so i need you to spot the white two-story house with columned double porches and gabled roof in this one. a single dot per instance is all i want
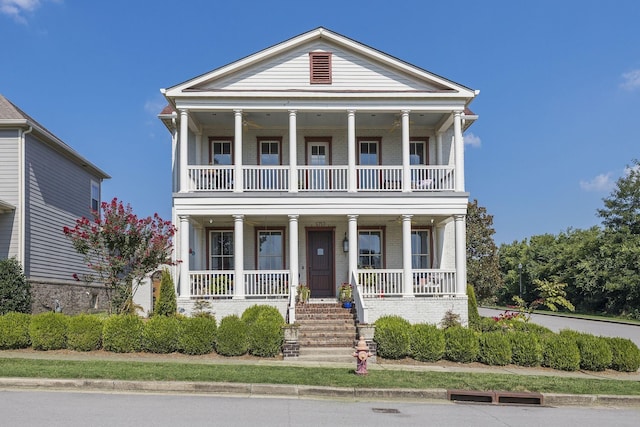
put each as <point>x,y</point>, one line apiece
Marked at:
<point>320,161</point>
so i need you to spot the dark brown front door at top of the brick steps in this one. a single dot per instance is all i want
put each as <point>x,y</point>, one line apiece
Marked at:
<point>320,263</point>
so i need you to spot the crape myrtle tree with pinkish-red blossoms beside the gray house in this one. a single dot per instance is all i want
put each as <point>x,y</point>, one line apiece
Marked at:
<point>121,249</point>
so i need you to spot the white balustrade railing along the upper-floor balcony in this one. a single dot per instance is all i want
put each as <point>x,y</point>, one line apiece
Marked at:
<point>322,178</point>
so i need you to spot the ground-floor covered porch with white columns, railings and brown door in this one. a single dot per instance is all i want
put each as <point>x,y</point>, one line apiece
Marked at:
<point>241,260</point>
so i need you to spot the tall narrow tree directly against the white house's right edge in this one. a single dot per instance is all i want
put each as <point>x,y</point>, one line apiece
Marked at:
<point>483,268</point>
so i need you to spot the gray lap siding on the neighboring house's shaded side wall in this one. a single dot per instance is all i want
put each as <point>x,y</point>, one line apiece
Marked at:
<point>58,193</point>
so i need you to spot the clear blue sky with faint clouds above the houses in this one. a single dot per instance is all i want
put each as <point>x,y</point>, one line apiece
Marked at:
<point>559,85</point>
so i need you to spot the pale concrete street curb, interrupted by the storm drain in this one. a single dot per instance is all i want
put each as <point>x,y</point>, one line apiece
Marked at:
<point>284,390</point>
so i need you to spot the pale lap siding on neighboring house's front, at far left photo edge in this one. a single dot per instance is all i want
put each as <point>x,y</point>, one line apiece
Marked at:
<point>9,193</point>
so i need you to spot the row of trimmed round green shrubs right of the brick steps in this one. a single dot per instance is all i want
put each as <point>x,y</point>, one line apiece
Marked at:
<point>515,342</point>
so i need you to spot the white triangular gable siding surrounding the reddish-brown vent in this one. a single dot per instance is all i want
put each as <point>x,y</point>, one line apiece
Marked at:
<point>291,71</point>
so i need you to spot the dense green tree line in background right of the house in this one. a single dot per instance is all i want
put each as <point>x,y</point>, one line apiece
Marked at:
<point>600,265</point>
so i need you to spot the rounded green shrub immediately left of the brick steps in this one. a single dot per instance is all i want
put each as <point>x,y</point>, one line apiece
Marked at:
<point>264,330</point>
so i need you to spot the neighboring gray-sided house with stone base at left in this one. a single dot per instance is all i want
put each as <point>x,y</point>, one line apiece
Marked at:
<point>44,186</point>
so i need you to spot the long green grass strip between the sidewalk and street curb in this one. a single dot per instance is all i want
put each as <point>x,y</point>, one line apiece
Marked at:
<point>334,377</point>
